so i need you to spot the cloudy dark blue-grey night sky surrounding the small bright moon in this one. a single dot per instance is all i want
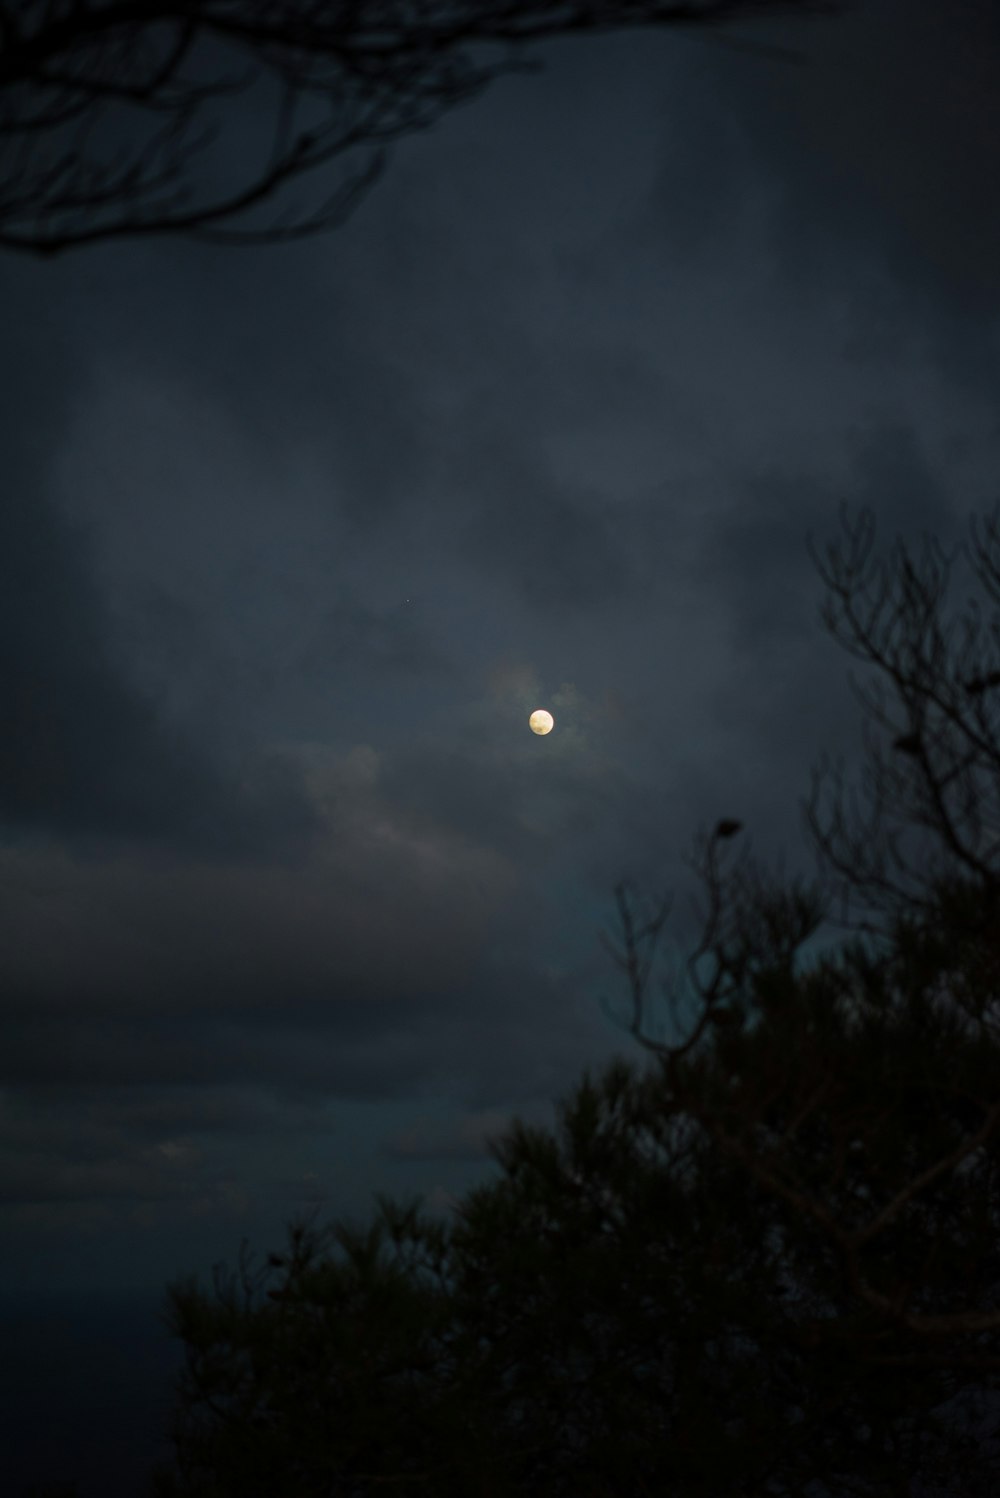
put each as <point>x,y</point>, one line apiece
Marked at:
<point>293,540</point>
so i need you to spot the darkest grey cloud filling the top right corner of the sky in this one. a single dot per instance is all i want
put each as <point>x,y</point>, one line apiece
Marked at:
<point>863,169</point>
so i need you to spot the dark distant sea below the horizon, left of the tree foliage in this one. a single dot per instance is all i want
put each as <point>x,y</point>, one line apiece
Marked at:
<point>85,1392</point>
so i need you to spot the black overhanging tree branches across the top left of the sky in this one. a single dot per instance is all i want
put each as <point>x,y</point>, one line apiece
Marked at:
<point>106,106</point>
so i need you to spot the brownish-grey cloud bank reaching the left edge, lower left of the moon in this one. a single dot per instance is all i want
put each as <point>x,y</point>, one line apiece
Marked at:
<point>385,906</point>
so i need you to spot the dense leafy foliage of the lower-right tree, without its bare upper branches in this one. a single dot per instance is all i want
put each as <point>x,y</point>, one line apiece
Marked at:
<point>637,1310</point>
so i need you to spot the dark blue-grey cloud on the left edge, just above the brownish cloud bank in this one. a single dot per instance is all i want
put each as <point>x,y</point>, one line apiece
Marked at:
<point>85,754</point>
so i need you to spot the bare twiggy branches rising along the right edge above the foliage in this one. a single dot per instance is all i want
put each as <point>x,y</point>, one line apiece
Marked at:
<point>939,786</point>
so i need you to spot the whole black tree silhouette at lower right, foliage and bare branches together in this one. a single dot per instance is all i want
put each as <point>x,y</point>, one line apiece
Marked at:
<point>767,1262</point>
